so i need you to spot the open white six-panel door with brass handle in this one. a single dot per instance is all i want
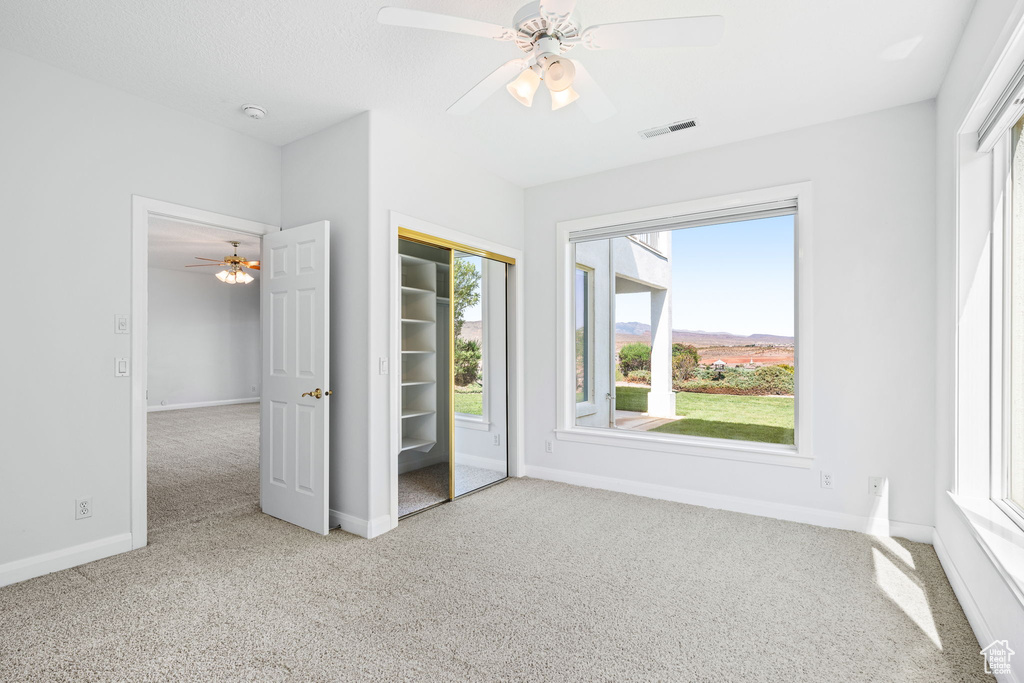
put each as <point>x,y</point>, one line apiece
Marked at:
<point>294,430</point>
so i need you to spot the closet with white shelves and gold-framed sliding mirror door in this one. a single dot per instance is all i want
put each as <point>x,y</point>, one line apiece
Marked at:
<point>454,382</point>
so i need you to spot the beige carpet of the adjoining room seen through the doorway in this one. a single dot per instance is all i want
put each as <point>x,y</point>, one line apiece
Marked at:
<point>202,461</point>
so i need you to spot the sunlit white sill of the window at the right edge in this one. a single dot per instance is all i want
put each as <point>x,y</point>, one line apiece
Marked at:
<point>999,537</point>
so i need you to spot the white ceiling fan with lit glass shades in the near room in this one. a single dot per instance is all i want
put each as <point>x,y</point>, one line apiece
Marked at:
<point>545,31</point>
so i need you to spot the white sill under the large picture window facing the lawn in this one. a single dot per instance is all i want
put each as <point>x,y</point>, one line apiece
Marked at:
<point>751,452</point>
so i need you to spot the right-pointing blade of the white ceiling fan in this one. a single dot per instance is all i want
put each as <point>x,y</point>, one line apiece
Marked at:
<point>678,32</point>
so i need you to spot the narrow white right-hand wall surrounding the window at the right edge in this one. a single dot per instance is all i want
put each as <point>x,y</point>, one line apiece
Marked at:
<point>993,609</point>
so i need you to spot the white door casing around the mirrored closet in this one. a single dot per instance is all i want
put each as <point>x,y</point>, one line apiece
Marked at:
<point>445,237</point>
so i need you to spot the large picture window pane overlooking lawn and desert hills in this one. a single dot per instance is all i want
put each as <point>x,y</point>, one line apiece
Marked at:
<point>695,325</point>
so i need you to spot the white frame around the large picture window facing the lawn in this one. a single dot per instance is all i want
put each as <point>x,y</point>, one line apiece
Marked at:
<point>801,454</point>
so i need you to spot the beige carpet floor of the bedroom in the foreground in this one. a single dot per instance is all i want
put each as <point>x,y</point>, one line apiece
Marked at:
<point>528,581</point>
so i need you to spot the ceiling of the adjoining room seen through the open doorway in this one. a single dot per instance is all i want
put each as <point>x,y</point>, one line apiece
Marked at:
<point>176,244</point>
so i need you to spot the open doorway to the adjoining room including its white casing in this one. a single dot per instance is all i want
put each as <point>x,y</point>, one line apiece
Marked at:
<point>200,334</point>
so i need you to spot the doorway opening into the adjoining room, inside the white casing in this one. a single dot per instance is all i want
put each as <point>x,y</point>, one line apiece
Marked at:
<point>203,392</point>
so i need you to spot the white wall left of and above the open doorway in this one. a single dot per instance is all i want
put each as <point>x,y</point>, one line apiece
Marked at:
<point>66,188</point>
